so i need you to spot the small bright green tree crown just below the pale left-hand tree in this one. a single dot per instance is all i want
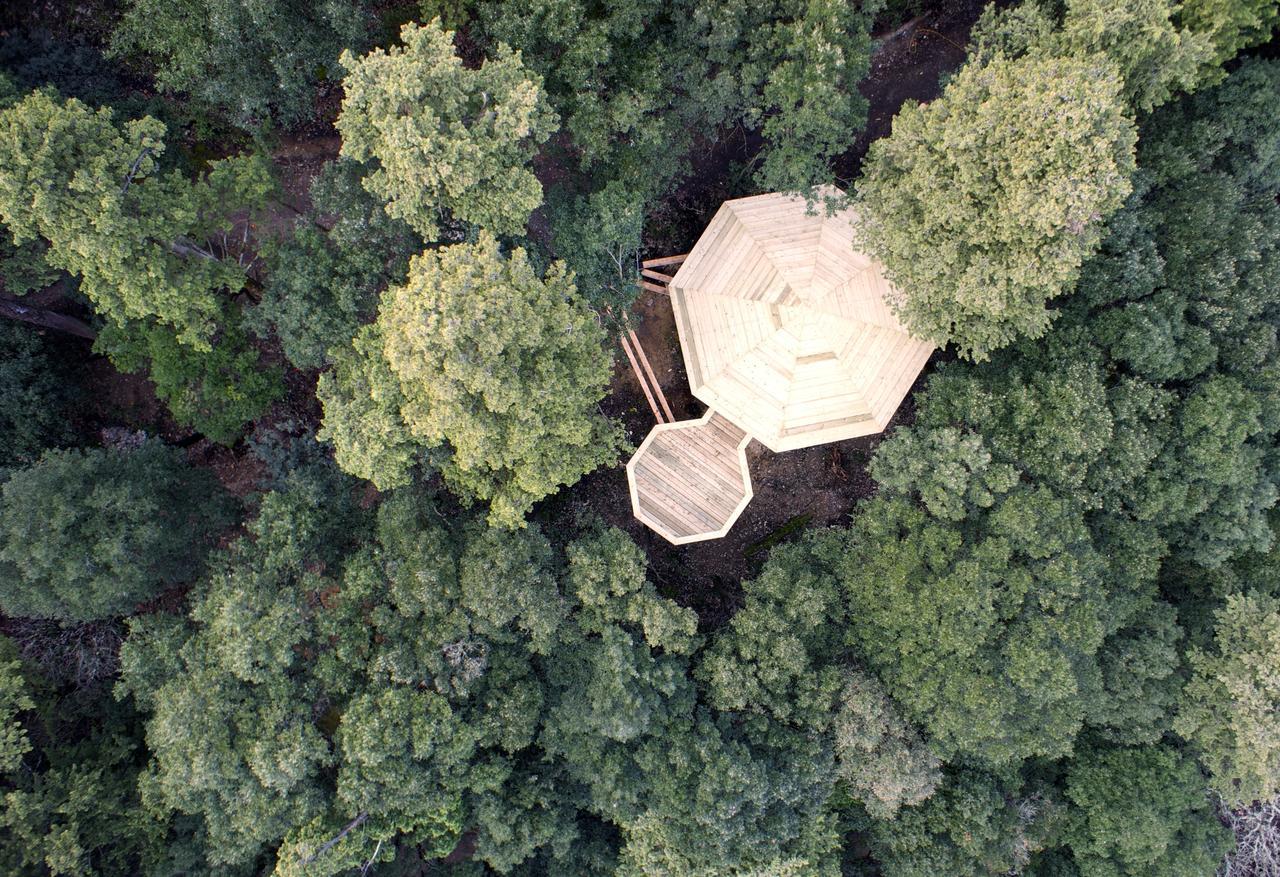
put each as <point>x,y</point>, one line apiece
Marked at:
<point>216,392</point>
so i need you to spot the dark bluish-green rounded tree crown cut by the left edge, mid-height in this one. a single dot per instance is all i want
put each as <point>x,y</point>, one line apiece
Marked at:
<point>89,535</point>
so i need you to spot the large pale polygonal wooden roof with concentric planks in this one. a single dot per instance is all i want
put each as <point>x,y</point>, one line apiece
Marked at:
<point>787,328</point>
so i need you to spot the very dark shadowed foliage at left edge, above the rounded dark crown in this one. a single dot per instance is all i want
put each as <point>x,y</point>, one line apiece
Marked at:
<point>36,391</point>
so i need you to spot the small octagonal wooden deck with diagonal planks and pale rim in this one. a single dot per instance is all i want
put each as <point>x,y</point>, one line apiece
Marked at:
<point>689,479</point>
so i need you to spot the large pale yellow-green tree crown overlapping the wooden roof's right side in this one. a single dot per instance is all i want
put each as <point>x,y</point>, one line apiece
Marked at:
<point>985,203</point>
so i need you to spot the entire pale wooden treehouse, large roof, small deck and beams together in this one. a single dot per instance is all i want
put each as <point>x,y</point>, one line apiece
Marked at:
<point>788,337</point>
